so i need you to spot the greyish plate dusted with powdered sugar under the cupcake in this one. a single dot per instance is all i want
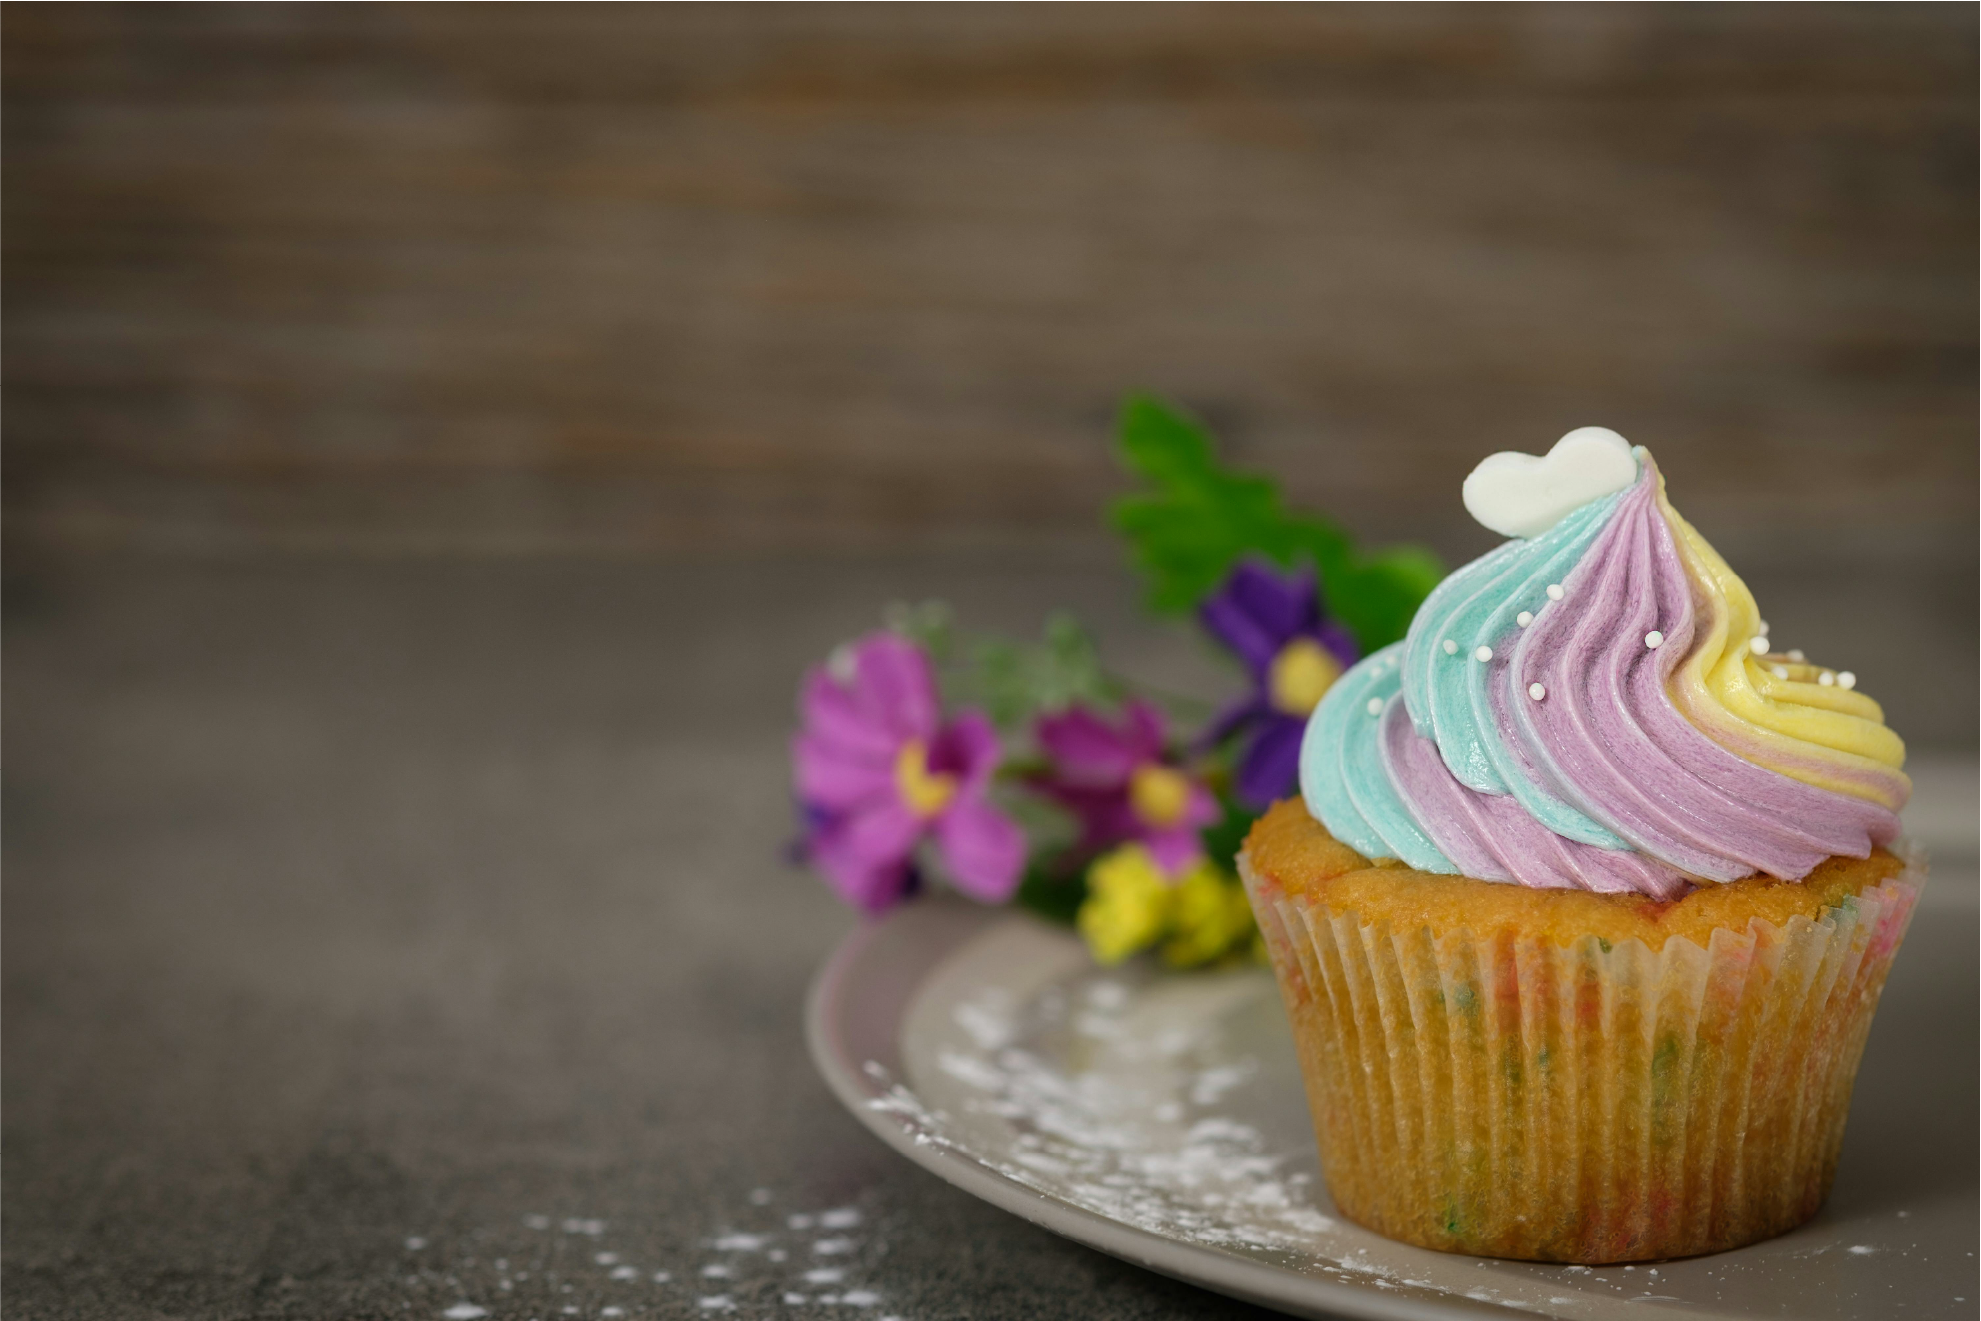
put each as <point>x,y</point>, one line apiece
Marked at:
<point>1162,1118</point>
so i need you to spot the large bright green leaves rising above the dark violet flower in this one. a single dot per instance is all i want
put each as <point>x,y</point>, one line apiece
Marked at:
<point>1203,518</point>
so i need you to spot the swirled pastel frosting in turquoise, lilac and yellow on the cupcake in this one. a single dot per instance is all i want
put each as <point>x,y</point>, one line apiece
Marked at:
<point>1598,708</point>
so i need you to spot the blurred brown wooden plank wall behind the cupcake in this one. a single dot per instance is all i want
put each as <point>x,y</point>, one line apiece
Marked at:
<point>821,280</point>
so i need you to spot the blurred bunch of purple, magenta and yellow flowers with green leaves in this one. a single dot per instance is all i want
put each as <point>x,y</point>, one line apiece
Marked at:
<point>1031,773</point>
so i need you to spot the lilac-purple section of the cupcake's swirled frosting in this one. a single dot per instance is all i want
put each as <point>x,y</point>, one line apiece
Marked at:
<point>1608,740</point>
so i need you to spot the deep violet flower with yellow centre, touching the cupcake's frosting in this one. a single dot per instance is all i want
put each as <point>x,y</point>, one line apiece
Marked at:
<point>1275,623</point>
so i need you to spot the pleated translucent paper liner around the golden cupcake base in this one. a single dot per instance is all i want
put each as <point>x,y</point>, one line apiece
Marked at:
<point>1518,1098</point>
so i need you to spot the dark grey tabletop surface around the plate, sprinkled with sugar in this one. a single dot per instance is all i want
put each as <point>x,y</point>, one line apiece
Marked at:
<point>348,904</point>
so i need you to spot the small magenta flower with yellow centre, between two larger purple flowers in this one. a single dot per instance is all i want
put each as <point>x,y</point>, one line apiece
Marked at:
<point>1120,787</point>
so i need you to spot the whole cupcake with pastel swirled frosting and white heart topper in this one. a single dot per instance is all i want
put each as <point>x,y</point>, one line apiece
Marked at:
<point>1590,894</point>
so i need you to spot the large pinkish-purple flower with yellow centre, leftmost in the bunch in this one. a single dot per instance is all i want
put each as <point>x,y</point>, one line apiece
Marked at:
<point>879,769</point>
